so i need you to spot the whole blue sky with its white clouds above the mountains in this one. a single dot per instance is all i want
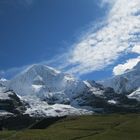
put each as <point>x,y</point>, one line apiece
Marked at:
<point>88,38</point>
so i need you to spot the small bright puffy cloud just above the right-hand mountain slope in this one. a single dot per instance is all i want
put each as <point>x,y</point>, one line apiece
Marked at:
<point>121,68</point>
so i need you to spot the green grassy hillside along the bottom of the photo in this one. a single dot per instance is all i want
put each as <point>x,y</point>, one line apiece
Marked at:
<point>99,127</point>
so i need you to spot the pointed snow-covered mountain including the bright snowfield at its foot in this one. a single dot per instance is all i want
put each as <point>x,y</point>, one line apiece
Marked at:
<point>50,92</point>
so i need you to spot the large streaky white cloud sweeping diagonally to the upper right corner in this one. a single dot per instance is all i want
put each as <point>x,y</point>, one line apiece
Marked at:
<point>98,49</point>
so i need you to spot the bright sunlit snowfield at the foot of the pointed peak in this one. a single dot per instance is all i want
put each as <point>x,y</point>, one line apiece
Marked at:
<point>41,108</point>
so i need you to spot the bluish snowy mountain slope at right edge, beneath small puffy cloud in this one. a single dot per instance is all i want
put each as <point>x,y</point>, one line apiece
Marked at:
<point>125,83</point>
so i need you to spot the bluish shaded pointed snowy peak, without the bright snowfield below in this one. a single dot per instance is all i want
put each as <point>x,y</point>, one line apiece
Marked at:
<point>47,84</point>
